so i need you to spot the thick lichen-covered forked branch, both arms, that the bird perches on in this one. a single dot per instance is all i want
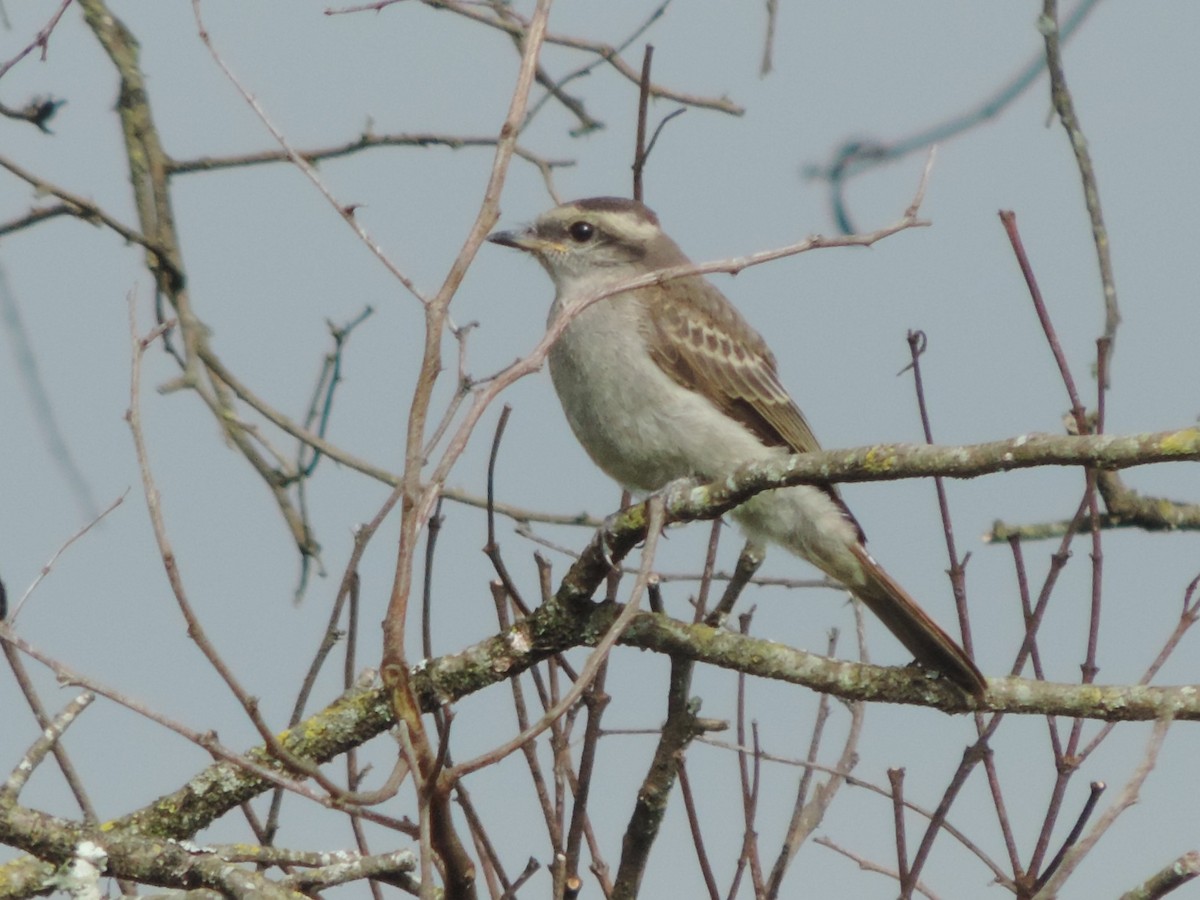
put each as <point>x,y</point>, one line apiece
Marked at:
<point>573,621</point>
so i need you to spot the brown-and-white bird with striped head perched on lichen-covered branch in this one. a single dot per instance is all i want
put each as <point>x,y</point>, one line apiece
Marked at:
<point>669,381</point>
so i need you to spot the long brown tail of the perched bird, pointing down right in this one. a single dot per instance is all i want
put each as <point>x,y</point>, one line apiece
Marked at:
<point>914,627</point>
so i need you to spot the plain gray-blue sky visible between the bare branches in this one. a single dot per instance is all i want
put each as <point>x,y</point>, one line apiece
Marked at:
<point>269,262</point>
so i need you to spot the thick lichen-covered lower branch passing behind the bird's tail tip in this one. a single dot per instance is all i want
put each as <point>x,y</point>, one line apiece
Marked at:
<point>556,627</point>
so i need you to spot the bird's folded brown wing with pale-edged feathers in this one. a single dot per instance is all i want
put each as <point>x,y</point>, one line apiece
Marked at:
<point>706,345</point>
